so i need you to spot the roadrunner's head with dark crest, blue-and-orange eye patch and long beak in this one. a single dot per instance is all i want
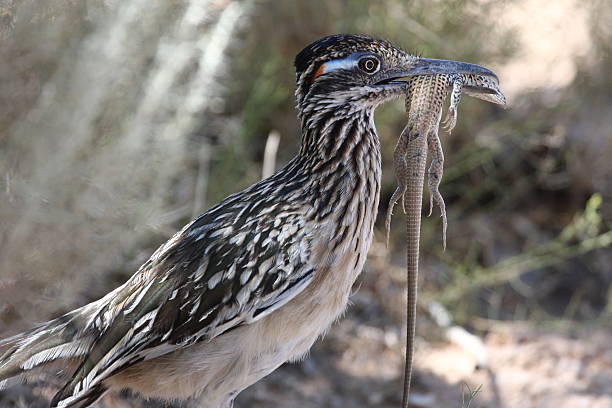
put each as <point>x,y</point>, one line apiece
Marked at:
<point>362,72</point>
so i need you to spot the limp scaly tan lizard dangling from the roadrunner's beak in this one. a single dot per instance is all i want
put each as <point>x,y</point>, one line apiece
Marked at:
<point>424,99</point>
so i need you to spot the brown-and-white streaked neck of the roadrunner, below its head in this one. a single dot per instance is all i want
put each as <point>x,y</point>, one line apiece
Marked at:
<point>340,153</point>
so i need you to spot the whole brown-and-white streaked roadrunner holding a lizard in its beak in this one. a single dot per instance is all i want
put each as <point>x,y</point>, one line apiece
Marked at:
<point>255,280</point>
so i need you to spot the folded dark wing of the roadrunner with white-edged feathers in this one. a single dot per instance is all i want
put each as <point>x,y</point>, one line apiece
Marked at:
<point>227,268</point>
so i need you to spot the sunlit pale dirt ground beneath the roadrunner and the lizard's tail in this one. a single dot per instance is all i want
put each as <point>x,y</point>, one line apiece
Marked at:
<point>359,365</point>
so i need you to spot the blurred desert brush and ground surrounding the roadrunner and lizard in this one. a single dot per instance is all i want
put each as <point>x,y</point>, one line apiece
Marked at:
<point>122,120</point>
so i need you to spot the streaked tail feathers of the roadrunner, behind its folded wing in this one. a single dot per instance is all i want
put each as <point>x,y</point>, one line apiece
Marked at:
<point>62,341</point>
